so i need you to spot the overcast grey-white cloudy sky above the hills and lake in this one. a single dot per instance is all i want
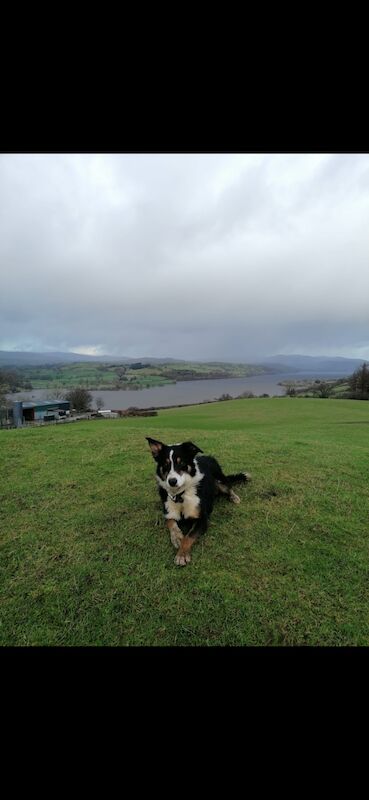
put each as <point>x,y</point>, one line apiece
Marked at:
<point>229,256</point>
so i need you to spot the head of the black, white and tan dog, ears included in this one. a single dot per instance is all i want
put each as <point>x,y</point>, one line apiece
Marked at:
<point>176,465</point>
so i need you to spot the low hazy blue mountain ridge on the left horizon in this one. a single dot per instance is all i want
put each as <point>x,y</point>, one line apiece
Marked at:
<point>16,358</point>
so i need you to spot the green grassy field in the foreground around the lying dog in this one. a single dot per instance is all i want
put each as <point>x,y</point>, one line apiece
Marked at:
<point>86,558</point>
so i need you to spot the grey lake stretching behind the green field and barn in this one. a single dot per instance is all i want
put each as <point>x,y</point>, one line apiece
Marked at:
<point>187,392</point>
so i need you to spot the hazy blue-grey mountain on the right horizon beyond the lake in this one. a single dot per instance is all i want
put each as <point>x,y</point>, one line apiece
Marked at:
<point>317,364</point>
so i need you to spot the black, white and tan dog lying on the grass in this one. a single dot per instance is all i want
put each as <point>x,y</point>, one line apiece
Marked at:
<point>188,484</point>
